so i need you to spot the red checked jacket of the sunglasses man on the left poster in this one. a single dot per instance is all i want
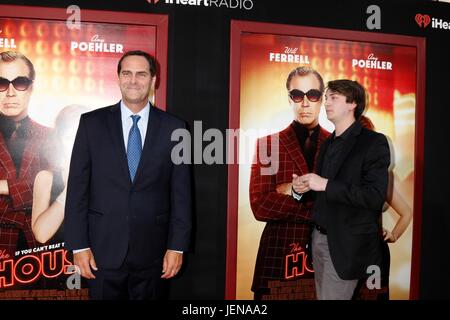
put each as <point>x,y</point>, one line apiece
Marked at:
<point>15,208</point>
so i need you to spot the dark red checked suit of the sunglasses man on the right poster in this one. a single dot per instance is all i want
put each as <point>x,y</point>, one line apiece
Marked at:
<point>287,232</point>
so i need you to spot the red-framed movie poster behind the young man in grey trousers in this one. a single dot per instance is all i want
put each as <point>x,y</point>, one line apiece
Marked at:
<point>269,232</point>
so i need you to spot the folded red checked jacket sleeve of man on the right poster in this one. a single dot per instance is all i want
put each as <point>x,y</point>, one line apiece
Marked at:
<point>266,203</point>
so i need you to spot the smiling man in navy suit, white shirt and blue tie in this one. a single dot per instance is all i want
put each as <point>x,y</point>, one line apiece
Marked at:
<point>128,208</point>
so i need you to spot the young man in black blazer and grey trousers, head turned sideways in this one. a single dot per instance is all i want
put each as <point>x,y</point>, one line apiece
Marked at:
<point>351,185</point>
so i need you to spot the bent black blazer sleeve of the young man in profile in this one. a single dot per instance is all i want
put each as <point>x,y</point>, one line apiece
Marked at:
<point>371,192</point>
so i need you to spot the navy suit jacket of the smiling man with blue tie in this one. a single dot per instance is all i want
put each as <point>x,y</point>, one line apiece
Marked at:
<point>107,212</point>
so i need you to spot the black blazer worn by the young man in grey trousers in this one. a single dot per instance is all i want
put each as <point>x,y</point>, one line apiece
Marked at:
<point>355,194</point>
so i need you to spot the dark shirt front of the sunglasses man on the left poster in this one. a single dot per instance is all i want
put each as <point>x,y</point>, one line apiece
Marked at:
<point>15,141</point>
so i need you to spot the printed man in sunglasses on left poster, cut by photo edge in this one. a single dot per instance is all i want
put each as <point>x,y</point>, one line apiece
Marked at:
<point>23,148</point>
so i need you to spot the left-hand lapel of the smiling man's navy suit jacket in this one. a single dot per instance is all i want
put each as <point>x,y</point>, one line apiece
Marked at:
<point>115,129</point>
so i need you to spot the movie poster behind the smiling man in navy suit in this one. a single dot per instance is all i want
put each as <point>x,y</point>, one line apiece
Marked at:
<point>76,71</point>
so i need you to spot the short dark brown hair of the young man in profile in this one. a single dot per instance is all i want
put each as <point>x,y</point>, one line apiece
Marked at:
<point>352,91</point>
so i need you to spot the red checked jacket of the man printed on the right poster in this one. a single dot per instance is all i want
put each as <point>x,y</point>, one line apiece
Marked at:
<point>287,220</point>
